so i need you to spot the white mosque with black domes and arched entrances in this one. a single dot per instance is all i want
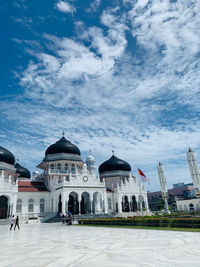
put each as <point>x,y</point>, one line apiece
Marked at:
<point>67,183</point>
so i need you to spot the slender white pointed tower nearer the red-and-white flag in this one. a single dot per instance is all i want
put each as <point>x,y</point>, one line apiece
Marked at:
<point>162,179</point>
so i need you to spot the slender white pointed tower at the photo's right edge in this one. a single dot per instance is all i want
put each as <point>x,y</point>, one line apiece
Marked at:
<point>194,171</point>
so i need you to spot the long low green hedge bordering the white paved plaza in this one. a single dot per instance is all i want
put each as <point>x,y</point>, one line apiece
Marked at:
<point>153,222</point>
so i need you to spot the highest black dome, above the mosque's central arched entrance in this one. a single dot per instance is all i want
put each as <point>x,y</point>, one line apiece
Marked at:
<point>63,146</point>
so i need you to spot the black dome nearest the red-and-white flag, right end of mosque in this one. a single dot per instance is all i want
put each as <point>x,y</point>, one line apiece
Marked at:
<point>114,164</point>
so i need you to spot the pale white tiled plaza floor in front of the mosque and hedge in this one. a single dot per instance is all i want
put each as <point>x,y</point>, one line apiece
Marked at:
<point>56,245</point>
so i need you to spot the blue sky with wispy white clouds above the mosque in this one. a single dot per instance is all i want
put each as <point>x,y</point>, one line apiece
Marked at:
<point>120,75</point>
